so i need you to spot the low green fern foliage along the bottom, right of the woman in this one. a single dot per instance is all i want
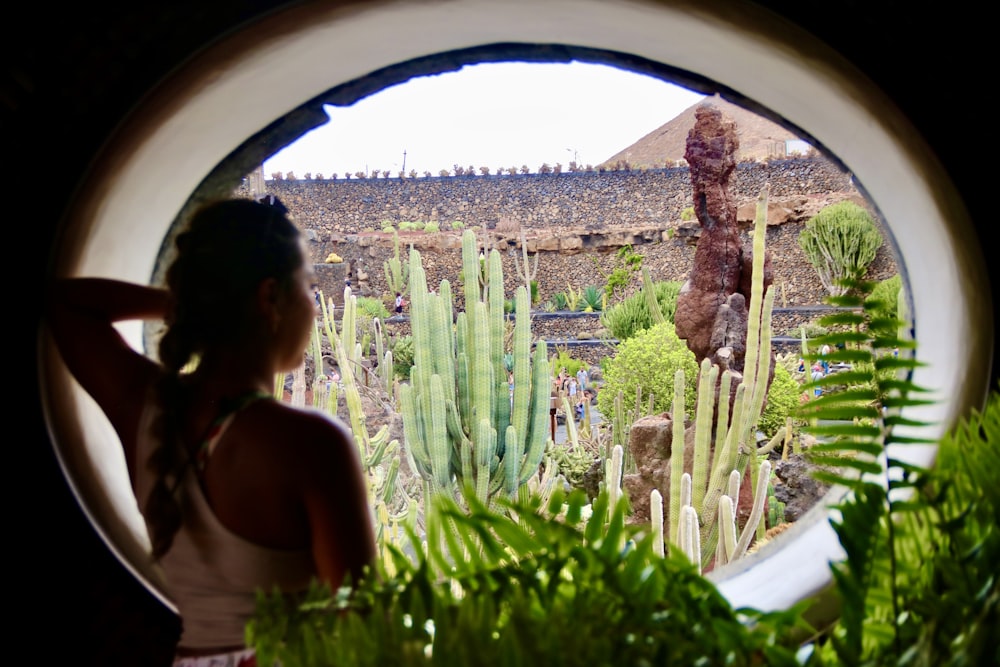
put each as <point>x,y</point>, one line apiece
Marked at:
<point>528,588</point>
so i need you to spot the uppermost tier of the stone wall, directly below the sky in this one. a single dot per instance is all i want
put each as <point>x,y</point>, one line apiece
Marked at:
<point>591,200</point>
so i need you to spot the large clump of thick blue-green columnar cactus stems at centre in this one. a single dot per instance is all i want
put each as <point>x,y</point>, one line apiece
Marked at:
<point>461,427</point>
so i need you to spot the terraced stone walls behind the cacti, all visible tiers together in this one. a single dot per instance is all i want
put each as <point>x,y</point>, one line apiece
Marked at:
<point>576,222</point>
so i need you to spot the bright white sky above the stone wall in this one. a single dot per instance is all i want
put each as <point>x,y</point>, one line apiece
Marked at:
<point>489,115</point>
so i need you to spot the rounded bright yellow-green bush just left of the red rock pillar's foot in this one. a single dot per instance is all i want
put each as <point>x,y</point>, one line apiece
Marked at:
<point>649,360</point>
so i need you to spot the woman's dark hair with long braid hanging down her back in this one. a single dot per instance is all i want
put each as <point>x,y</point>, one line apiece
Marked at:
<point>228,249</point>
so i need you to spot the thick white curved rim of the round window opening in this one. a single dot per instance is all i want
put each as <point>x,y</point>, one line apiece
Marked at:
<point>267,86</point>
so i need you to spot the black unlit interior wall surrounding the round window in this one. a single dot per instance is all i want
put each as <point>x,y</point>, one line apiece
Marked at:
<point>70,74</point>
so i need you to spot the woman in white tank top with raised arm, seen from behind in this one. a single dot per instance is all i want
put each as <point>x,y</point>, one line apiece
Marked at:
<point>239,492</point>
